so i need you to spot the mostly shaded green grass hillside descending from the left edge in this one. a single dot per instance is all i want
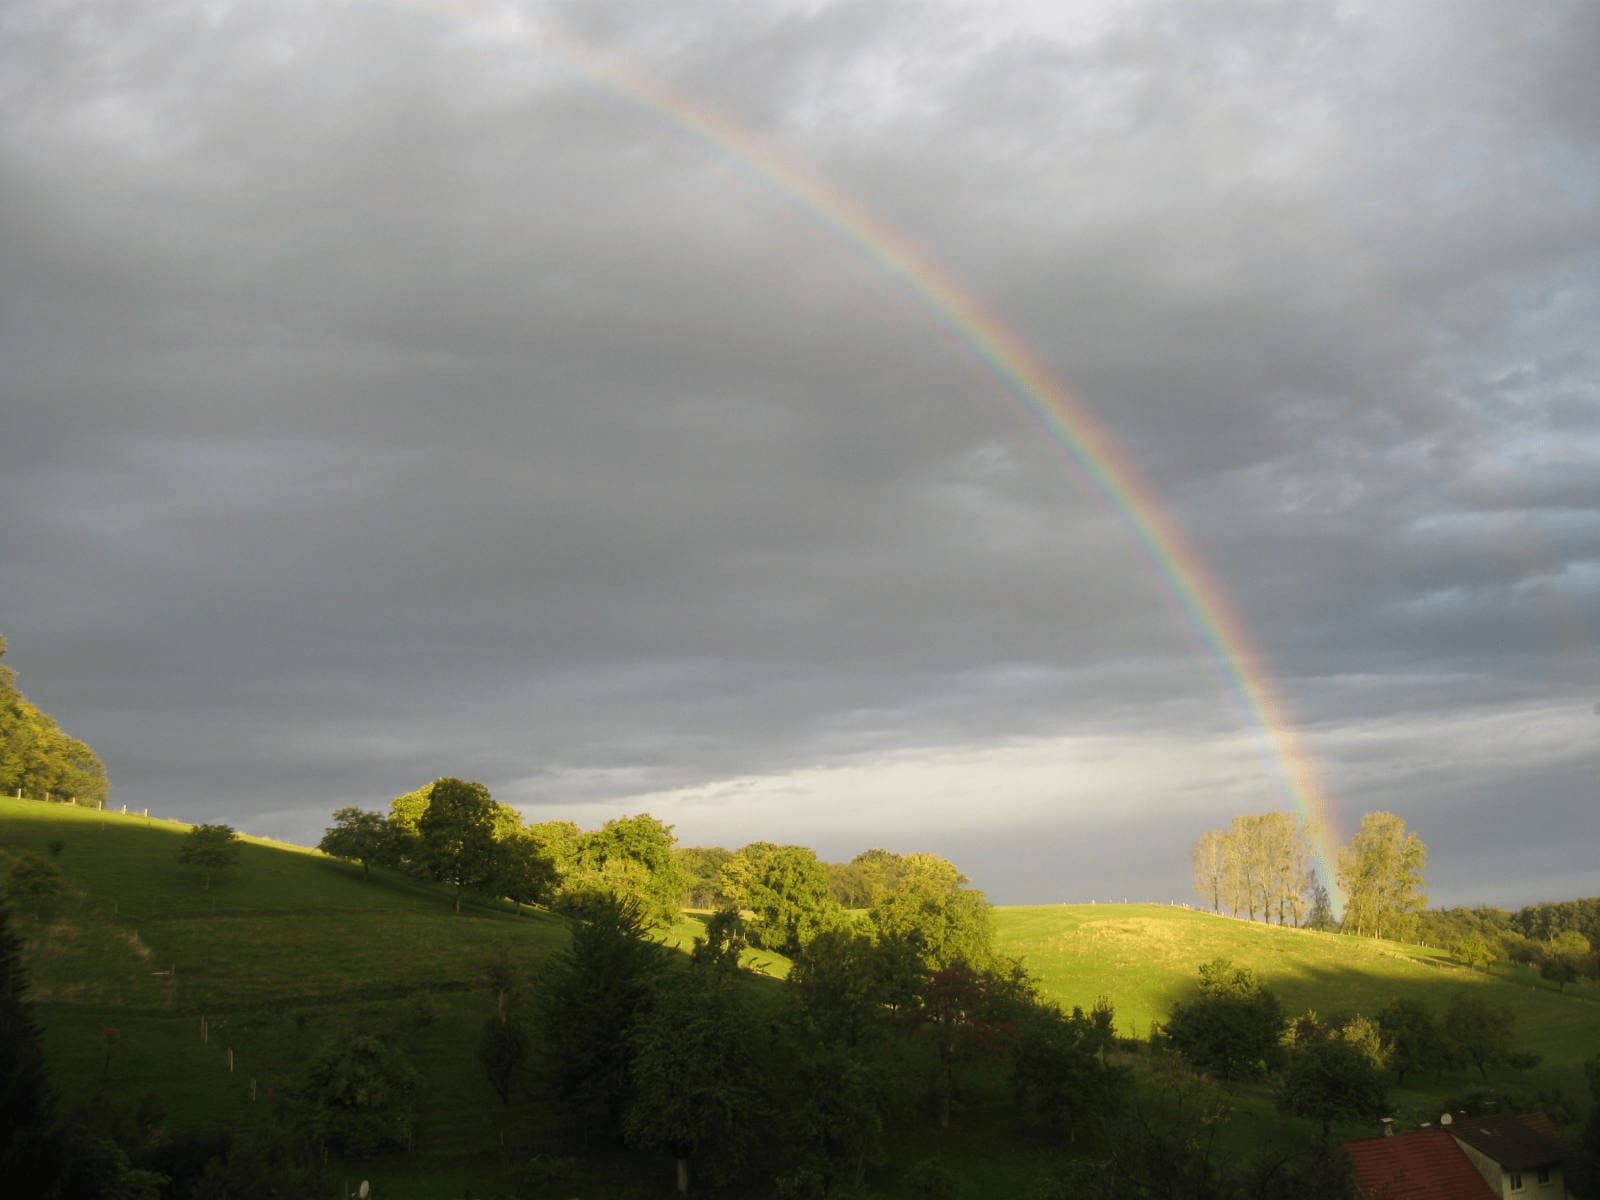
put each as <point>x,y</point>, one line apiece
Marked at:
<point>279,956</point>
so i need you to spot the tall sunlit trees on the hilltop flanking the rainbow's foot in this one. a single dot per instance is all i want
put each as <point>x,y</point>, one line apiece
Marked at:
<point>1262,868</point>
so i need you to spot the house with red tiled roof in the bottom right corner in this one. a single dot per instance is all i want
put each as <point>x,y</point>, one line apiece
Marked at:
<point>1465,1159</point>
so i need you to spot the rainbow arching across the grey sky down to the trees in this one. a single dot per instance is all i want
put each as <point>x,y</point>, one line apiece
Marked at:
<point>1010,361</point>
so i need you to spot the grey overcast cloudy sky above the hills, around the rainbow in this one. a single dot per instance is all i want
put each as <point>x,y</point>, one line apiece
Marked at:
<point>388,391</point>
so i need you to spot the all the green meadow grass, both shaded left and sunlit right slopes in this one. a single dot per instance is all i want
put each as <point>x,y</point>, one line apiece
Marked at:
<point>145,982</point>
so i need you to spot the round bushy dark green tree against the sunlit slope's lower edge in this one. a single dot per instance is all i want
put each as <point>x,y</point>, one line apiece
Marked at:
<point>1231,1028</point>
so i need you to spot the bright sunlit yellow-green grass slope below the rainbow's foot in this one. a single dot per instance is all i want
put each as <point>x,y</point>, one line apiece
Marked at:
<point>1148,956</point>
